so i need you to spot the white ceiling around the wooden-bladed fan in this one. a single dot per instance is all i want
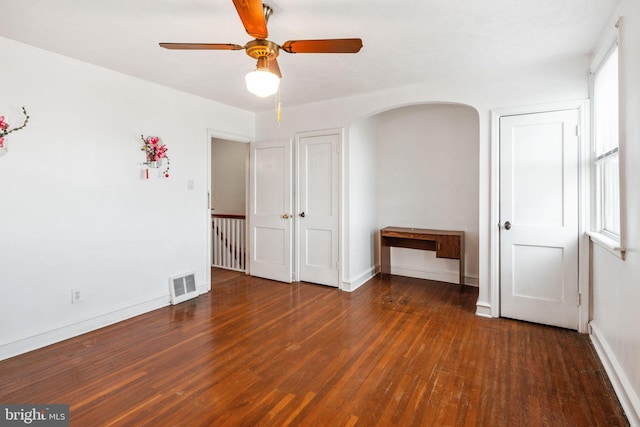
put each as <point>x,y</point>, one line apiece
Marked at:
<point>404,41</point>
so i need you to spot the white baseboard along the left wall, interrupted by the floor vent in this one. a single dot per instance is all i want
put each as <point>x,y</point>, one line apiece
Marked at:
<point>45,338</point>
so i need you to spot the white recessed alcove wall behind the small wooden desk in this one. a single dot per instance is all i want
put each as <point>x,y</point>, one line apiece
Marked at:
<point>428,178</point>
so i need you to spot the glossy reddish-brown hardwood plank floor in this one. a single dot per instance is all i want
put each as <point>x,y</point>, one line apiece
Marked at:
<point>396,352</point>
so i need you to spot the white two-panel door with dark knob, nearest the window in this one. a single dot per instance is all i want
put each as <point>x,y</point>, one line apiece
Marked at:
<point>539,217</point>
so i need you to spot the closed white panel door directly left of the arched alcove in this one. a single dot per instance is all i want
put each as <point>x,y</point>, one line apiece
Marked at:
<point>318,214</point>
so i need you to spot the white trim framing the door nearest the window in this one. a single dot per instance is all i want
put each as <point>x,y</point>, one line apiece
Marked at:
<point>583,204</point>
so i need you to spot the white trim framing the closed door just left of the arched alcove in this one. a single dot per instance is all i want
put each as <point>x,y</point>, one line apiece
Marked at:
<point>296,192</point>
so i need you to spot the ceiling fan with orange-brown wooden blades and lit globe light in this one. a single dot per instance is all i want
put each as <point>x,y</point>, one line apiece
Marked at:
<point>265,79</point>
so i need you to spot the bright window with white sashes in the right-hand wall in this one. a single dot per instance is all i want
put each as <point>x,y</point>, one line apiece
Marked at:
<point>605,127</point>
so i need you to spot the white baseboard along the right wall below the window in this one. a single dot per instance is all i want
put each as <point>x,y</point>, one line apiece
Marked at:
<point>628,398</point>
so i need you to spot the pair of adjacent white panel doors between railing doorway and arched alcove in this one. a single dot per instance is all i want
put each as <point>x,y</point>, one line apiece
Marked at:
<point>294,208</point>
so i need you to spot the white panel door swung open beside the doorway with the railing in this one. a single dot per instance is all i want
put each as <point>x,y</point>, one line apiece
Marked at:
<point>270,214</point>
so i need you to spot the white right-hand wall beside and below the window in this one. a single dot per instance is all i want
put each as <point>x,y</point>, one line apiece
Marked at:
<point>616,282</point>
